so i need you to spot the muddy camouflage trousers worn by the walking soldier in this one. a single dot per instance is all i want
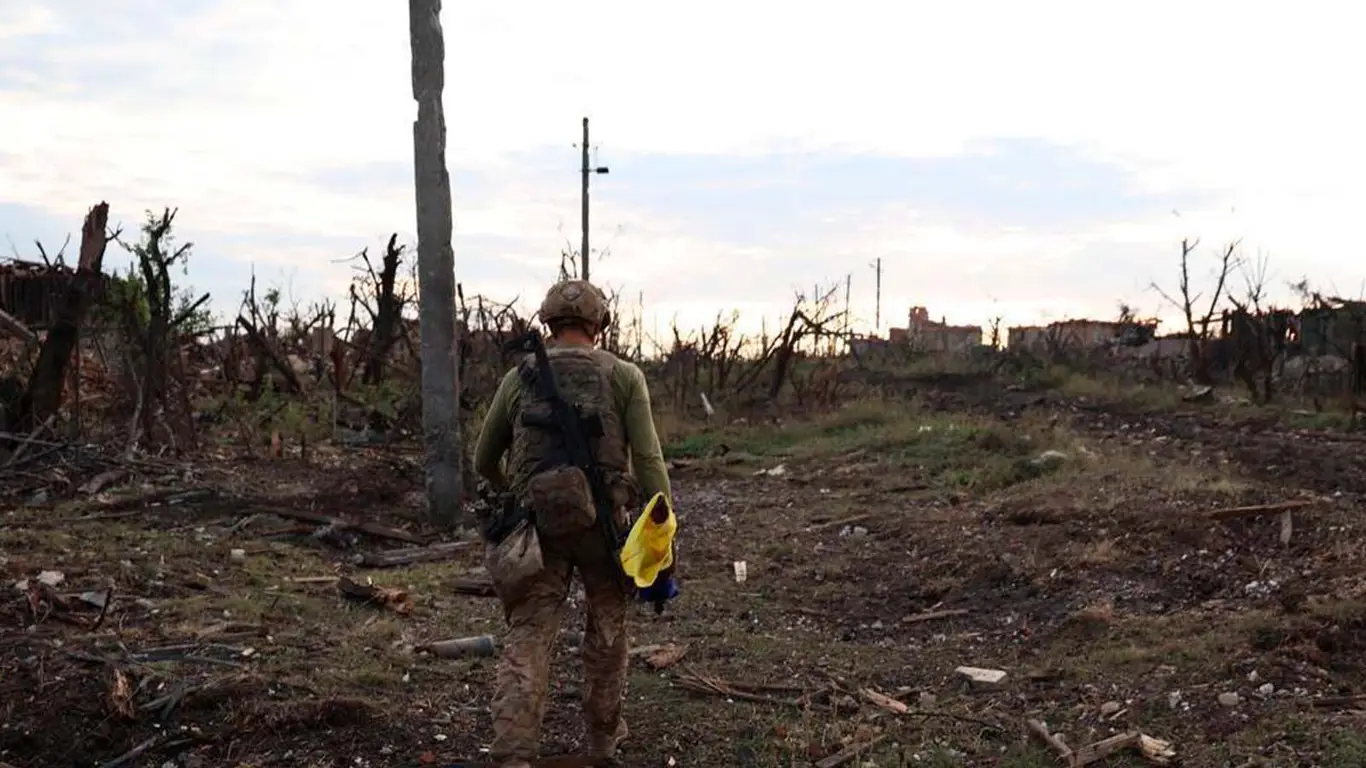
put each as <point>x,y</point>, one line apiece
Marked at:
<point>535,614</point>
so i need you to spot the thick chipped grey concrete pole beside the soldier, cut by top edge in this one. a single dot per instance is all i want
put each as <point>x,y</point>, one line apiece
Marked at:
<point>436,269</point>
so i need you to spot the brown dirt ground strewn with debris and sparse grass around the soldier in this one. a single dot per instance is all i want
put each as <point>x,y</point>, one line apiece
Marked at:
<point>1073,545</point>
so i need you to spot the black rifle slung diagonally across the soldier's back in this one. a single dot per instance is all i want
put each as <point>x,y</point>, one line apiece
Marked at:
<point>576,431</point>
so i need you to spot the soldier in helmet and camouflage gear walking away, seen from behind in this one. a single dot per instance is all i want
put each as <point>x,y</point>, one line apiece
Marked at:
<point>632,463</point>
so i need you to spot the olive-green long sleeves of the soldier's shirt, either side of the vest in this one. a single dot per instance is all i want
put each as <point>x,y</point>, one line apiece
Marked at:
<point>632,396</point>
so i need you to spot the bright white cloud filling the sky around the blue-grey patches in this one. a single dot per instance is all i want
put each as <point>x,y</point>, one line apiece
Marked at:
<point>251,98</point>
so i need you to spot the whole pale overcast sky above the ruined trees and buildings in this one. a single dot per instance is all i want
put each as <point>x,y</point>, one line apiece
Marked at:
<point>1031,161</point>
